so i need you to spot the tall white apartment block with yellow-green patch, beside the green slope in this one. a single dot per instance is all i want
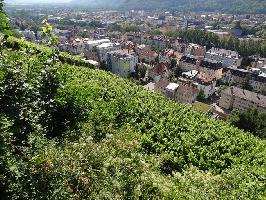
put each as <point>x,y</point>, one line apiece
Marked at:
<point>121,63</point>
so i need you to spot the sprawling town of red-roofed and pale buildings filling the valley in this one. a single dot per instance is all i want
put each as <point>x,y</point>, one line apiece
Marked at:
<point>212,61</point>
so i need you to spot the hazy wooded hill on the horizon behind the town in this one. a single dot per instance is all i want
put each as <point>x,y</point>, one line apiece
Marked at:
<point>232,6</point>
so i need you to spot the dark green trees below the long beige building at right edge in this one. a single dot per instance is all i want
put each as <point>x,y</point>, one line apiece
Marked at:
<point>250,120</point>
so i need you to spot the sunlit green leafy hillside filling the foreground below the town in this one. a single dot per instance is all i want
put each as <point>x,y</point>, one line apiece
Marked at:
<point>71,132</point>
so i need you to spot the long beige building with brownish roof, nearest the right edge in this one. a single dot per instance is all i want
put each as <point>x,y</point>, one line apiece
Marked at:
<point>239,99</point>
